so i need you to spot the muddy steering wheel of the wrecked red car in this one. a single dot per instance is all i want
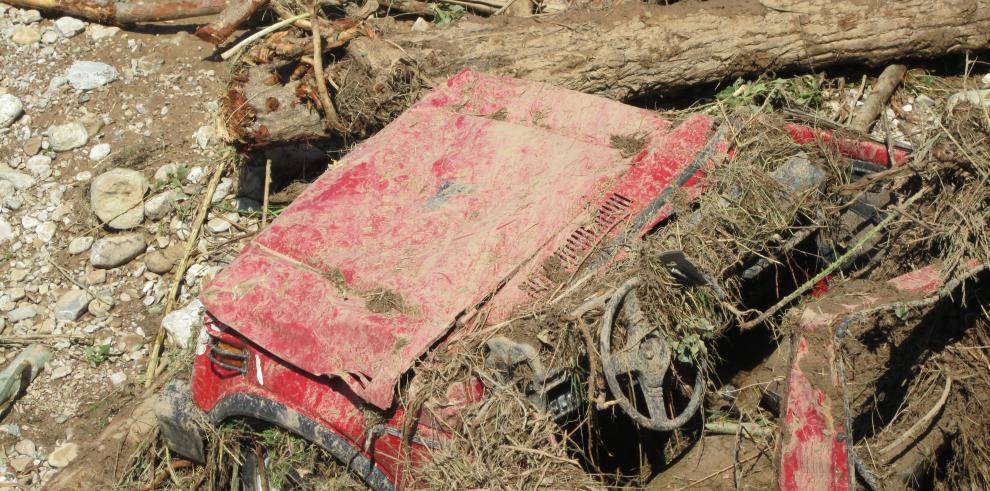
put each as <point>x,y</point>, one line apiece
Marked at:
<point>645,357</point>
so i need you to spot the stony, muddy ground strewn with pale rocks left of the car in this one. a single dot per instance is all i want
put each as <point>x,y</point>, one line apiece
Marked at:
<point>155,113</point>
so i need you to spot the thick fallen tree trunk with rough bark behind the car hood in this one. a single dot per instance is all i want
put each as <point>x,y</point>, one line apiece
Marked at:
<point>632,51</point>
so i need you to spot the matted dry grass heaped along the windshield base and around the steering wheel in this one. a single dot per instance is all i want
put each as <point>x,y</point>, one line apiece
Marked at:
<point>505,442</point>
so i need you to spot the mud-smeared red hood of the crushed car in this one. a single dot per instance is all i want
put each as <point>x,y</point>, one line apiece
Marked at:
<point>378,258</point>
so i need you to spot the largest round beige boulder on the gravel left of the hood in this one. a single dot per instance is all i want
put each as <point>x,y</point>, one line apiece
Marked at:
<point>117,196</point>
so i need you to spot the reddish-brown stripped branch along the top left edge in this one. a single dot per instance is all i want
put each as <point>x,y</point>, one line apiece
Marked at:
<point>124,12</point>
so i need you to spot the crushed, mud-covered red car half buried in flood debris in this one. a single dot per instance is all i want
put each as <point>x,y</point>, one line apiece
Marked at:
<point>456,205</point>
